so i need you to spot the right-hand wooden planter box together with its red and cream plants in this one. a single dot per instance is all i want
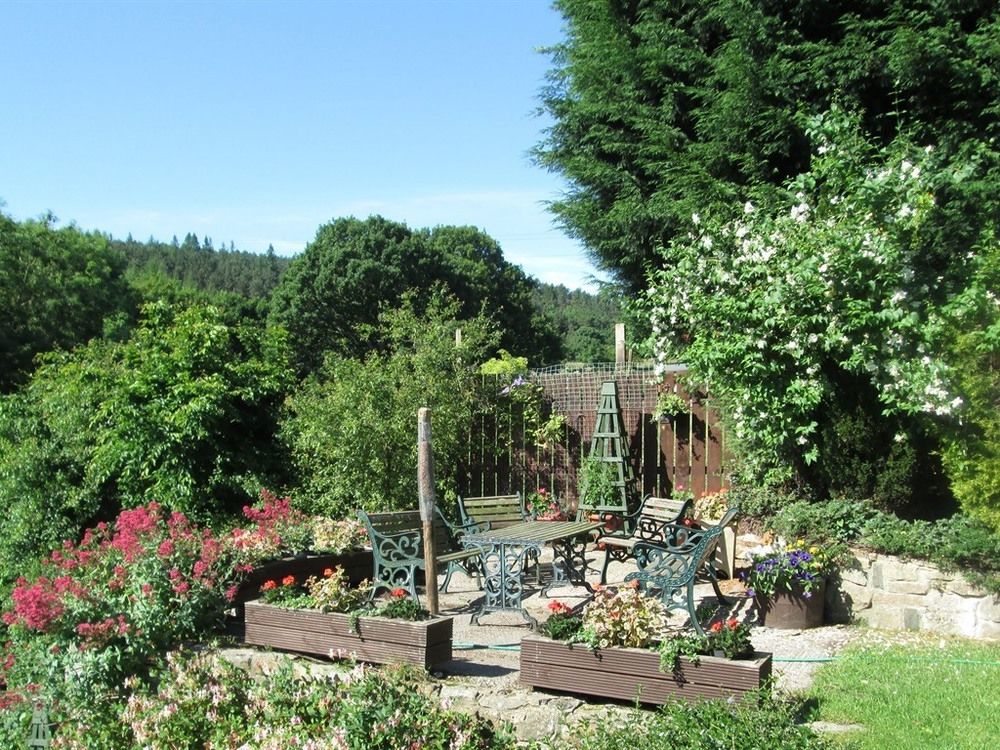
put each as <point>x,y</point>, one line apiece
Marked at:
<point>621,647</point>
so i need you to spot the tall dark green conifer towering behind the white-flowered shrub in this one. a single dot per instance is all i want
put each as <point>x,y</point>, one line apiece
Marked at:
<point>662,109</point>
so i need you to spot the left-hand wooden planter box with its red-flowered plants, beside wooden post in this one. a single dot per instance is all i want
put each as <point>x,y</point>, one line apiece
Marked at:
<point>326,616</point>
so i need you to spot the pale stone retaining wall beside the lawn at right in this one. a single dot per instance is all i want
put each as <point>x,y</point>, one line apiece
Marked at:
<point>888,592</point>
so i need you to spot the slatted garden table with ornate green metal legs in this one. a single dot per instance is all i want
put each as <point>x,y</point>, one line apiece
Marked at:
<point>505,552</point>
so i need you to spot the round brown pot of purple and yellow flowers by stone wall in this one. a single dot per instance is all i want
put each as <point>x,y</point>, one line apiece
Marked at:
<point>788,583</point>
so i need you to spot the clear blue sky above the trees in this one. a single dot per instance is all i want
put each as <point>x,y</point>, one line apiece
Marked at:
<point>256,122</point>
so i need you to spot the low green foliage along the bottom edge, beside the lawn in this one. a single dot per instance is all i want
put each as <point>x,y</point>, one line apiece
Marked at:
<point>758,721</point>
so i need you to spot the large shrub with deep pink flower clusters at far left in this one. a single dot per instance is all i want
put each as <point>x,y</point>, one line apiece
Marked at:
<point>109,605</point>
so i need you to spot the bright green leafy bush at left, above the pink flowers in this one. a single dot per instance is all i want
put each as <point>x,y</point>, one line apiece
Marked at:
<point>184,412</point>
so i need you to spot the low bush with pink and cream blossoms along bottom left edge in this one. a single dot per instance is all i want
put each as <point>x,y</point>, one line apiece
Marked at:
<point>202,702</point>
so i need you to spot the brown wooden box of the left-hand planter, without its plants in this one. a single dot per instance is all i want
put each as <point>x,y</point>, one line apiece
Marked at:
<point>379,640</point>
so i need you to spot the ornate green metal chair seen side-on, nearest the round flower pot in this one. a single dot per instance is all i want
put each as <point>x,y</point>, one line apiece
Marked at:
<point>671,568</point>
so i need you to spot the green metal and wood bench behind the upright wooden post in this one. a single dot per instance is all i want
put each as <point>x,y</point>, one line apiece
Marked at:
<point>398,549</point>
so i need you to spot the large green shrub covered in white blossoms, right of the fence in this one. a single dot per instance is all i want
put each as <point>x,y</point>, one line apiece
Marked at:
<point>836,289</point>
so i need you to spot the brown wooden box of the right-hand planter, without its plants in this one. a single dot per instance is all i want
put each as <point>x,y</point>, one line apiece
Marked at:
<point>631,674</point>
